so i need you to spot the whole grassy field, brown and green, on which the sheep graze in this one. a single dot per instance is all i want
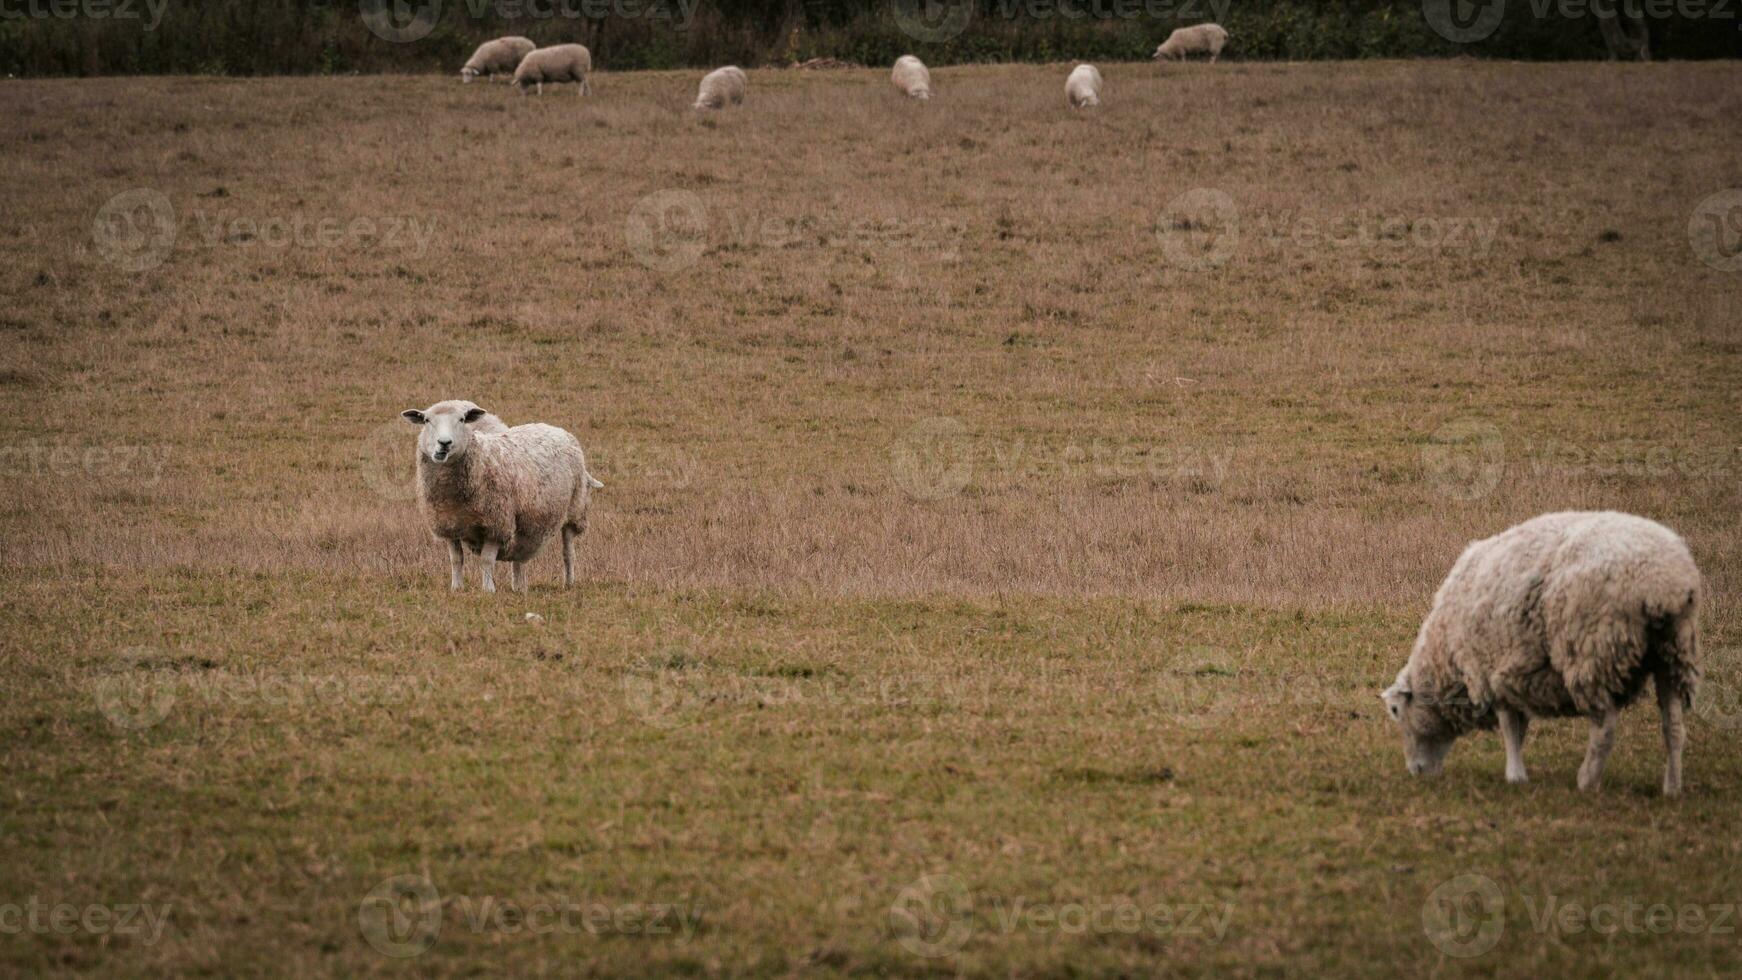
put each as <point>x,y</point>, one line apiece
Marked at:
<point>1009,520</point>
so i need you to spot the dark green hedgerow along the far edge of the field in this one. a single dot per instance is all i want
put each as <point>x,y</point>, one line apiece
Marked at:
<point>294,37</point>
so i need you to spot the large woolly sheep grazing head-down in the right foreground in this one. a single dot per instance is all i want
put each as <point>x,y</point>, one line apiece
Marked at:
<point>1562,615</point>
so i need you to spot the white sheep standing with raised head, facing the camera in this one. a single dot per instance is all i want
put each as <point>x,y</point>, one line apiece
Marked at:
<point>499,492</point>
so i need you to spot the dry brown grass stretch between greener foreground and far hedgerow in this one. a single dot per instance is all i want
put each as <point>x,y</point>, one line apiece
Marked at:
<point>1250,433</point>
